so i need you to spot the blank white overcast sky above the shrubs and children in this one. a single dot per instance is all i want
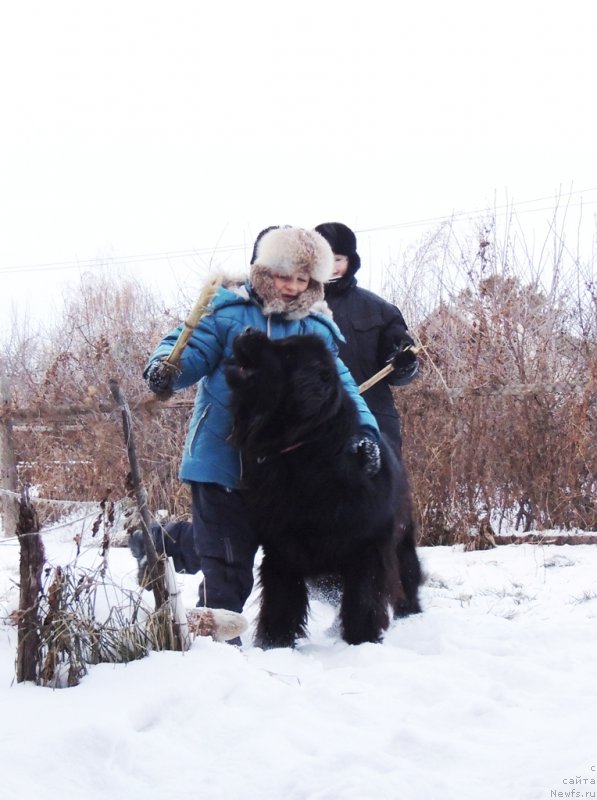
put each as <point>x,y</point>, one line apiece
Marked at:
<point>142,127</point>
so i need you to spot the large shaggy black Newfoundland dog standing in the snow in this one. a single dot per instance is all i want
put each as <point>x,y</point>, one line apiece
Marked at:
<point>315,510</point>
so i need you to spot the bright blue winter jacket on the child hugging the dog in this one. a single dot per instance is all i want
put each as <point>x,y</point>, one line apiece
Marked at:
<point>208,456</point>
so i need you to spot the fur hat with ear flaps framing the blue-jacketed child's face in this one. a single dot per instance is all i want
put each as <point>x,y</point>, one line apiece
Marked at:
<point>284,251</point>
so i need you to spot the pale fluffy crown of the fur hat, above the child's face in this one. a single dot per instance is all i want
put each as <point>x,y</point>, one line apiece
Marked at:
<point>287,250</point>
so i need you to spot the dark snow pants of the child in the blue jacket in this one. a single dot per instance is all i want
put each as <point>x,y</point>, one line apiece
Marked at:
<point>219,542</point>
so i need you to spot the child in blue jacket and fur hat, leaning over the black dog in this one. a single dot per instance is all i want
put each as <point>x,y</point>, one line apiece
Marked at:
<point>283,297</point>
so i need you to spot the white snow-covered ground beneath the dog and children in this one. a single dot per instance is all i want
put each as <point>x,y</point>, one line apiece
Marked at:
<point>490,693</point>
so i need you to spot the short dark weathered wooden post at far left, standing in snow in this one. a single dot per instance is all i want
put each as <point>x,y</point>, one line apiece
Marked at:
<point>31,566</point>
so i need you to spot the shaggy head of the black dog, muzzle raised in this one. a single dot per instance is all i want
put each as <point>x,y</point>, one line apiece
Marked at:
<point>283,390</point>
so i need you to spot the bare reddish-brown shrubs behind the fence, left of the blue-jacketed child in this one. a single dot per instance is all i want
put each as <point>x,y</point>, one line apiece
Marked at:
<point>108,329</point>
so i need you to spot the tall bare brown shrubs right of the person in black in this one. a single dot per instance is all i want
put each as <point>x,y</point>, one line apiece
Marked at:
<point>502,423</point>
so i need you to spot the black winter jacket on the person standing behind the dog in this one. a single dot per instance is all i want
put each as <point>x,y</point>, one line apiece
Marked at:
<point>373,329</point>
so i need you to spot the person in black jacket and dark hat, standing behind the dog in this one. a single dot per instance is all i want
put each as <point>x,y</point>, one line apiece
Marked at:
<point>375,330</point>
